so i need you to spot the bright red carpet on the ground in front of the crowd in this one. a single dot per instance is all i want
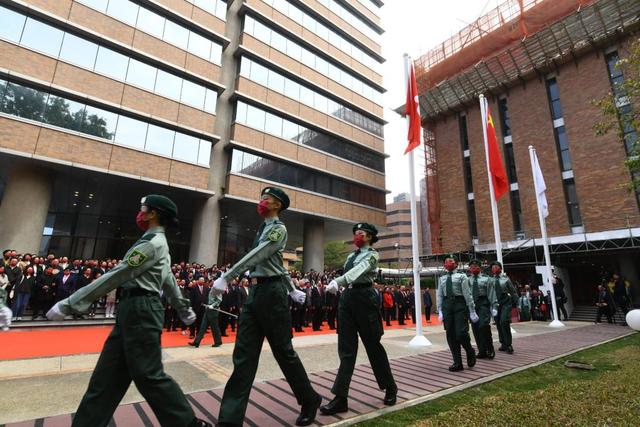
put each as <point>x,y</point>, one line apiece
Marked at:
<point>26,344</point>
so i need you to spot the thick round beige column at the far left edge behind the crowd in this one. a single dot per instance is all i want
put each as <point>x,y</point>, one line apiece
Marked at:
<point>24,208</point>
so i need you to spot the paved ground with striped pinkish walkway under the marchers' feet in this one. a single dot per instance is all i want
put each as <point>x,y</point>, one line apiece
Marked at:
<point>54,386</point>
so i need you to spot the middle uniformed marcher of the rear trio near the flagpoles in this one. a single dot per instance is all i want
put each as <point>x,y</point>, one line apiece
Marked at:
<point>484,298</point>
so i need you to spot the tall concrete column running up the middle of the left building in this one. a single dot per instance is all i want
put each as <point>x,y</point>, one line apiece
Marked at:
<point>205,233</point>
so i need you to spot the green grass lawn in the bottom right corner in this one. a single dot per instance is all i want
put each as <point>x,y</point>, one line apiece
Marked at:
<point>549,394</point>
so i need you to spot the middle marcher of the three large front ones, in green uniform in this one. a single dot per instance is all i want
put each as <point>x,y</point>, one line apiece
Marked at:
<point>266,315</point>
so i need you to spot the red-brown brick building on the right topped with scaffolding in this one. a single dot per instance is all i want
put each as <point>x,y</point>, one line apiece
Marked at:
<point>541,64</point>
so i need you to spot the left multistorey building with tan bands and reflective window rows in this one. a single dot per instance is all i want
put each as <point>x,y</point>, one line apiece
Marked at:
<point>207,101</point>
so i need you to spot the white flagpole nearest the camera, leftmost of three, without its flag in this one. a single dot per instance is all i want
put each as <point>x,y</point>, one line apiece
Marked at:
<point>419,340</point>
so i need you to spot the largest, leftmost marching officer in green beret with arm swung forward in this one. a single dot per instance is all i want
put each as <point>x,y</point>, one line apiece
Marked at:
<point>132,351</point>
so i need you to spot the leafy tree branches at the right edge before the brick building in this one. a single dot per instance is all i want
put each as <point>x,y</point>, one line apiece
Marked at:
<point>618,112</point>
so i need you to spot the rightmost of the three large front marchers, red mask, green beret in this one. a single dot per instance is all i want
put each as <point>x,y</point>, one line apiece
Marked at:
<point>359,314</point>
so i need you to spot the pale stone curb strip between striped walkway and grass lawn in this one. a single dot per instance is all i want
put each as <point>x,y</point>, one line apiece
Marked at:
<point>479,381</point>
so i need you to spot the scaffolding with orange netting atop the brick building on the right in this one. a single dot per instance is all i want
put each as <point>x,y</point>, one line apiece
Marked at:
<point>517,40</point>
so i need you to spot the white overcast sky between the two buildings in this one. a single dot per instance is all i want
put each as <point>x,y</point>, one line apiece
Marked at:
<point>414,27</point>
